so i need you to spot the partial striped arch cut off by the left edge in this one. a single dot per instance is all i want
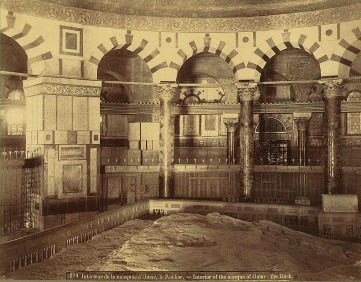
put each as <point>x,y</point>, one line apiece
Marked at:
<point>30,40</point>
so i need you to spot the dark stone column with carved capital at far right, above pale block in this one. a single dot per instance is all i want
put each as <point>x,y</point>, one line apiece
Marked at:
<point>333,167</point>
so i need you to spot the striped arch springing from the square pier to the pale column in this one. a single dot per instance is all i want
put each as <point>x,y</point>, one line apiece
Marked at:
<point>137,45</point>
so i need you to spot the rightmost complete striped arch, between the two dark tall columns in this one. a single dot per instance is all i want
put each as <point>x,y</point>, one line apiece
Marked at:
<point>280,42</point>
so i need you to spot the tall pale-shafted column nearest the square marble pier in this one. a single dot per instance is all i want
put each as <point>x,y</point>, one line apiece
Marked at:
<point>166,140</point>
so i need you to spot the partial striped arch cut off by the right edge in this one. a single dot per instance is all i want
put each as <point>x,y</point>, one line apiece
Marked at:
<point>346,52</point>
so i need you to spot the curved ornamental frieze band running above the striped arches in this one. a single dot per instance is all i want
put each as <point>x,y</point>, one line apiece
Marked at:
<point>89,17</point>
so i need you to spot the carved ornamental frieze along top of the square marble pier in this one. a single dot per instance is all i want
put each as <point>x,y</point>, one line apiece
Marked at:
<point>62,89</point>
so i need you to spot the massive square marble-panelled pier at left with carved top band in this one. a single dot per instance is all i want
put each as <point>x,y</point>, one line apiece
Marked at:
<point>63,128</point>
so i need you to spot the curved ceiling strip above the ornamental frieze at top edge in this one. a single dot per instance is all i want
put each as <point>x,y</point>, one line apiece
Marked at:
<point>204,8</point>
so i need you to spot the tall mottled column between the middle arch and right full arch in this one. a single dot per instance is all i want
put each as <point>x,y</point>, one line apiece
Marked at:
<point>246,93</point>
